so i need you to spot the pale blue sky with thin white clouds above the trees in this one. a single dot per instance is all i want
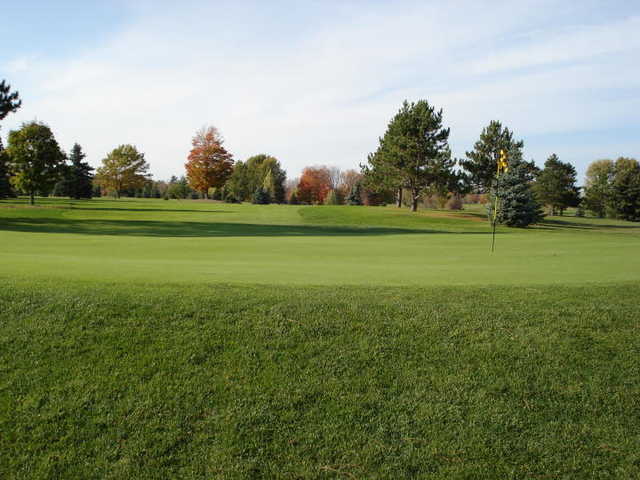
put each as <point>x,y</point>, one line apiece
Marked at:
<point>316,82</point>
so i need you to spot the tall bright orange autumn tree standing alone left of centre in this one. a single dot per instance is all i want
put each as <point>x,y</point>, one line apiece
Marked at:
<point>209,164</point>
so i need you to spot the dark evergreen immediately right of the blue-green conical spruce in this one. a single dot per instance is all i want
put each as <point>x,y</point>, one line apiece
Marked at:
<point>555,186</point>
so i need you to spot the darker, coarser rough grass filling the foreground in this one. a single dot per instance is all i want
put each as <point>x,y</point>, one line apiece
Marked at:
<point>125,381</point>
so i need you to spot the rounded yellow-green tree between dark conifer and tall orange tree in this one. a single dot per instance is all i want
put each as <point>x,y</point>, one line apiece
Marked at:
<point>125,168</point>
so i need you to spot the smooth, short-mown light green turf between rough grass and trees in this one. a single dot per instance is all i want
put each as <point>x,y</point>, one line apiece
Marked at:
<point>155,241</point>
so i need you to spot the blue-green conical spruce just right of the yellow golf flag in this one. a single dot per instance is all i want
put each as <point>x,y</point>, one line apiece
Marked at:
<point>517,204</point>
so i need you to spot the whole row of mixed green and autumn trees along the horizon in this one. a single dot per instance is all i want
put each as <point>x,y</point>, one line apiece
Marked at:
<point>412,165</point>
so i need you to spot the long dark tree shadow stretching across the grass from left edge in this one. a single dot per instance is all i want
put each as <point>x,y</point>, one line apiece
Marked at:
<point>147,228</point>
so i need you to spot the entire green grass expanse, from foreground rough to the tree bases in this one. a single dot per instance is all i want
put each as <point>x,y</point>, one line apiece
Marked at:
<point>164,339</point>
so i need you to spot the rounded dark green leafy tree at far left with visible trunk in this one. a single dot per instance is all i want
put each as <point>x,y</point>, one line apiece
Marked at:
<point>35,158</point>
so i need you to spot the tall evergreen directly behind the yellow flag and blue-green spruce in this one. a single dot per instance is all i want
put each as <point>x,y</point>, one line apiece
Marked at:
<point>481,161</point>
